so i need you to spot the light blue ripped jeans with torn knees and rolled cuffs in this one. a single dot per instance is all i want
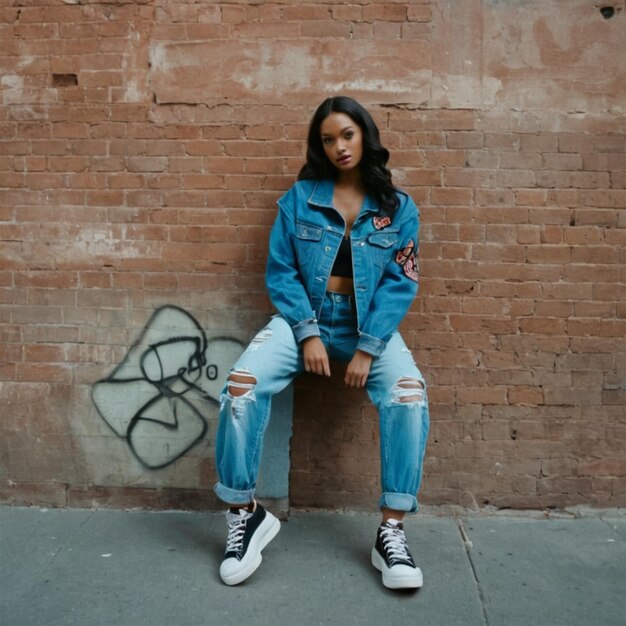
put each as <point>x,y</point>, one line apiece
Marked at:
<point>273,359</point>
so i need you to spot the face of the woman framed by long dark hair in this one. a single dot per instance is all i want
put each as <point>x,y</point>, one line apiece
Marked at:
<point>342,140</point>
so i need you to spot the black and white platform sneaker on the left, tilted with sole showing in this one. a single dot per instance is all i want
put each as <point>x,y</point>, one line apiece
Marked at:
<point>248,534</point>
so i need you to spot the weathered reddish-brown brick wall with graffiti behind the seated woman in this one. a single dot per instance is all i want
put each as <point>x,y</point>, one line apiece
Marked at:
<point>143,145</point>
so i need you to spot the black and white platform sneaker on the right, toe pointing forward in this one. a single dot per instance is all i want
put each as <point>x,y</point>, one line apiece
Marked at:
<point>391,556</point>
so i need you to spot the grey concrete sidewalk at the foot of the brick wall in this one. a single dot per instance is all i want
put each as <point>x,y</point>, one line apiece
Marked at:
<point>136,568</point>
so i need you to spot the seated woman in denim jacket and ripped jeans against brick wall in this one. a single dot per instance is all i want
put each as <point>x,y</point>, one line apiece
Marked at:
<point>342,272</point>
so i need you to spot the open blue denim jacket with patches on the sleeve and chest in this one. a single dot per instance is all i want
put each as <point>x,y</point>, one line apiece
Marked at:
<point>304,242</point>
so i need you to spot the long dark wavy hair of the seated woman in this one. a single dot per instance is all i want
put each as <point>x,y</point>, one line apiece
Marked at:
<point>376,176</point>
